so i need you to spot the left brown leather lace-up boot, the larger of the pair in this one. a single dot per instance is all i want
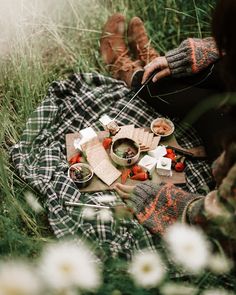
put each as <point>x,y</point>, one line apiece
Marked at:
<point>114,51</point>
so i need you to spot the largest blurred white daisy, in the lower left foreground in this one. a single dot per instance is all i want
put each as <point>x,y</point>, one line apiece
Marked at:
<point>66,265</point>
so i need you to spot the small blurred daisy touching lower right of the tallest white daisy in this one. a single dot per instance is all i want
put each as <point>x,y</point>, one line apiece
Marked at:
<point>219,264</point>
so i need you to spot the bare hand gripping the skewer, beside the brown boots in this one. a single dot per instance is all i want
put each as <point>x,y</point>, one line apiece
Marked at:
<point>159,63</point>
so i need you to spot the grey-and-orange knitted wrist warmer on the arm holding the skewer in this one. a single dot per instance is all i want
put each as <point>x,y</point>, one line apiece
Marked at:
<point>192,56</point>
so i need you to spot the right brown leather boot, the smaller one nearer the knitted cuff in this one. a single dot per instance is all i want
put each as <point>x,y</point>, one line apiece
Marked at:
<point>139,42</point>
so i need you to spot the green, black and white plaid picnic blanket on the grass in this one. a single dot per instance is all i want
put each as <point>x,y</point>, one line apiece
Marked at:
<point>40,158</point>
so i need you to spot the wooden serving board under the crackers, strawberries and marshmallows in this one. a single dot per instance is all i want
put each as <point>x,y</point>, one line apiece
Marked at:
<point>98,185</point>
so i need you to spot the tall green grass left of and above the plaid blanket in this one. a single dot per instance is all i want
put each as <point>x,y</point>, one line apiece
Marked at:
<point>60,40</point>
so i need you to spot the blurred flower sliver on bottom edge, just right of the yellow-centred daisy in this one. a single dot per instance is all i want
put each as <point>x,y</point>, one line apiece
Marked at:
<point>178,289</point>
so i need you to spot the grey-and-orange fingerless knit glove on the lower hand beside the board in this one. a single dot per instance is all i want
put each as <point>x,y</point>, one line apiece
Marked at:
<point>158,206</point>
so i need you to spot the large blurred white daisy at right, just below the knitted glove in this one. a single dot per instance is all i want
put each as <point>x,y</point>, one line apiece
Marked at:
<point>188,246</point>
